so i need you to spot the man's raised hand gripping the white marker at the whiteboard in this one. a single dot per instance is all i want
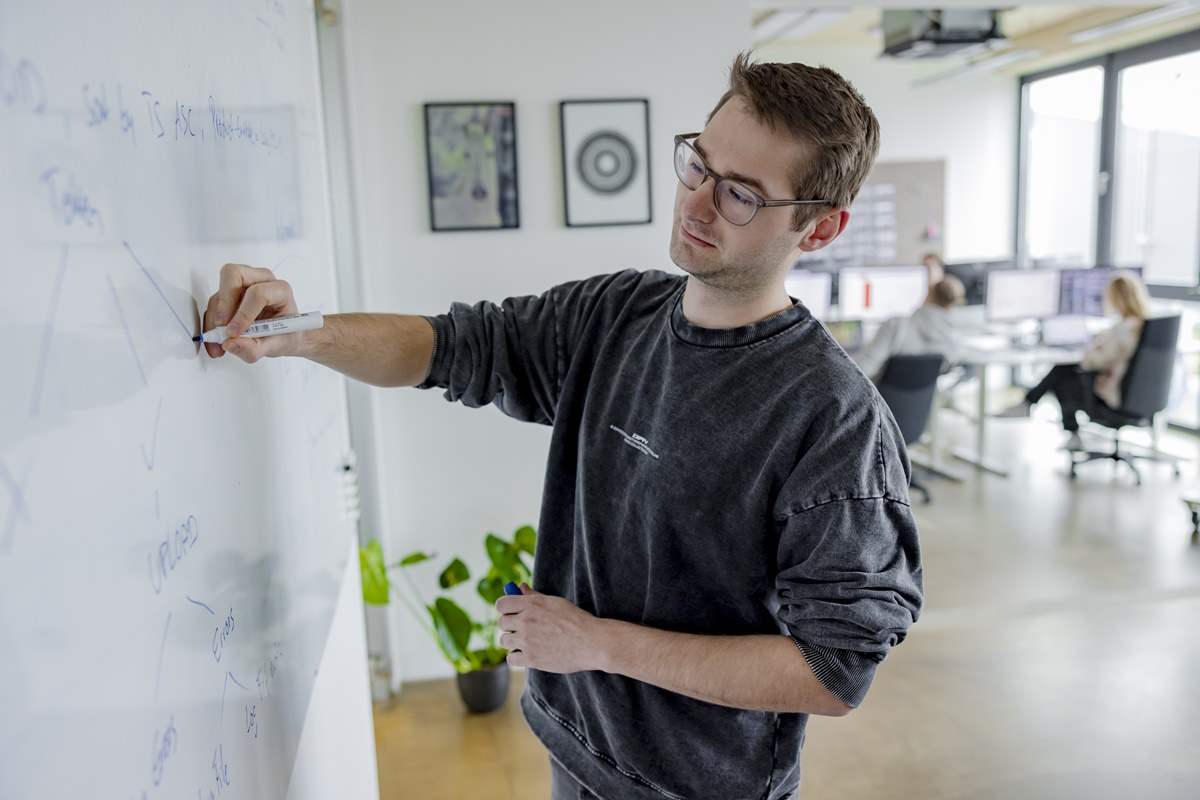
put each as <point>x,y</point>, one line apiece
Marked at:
<point>248,294</point>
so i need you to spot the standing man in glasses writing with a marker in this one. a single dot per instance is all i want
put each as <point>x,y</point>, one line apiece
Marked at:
<point>725,544</point>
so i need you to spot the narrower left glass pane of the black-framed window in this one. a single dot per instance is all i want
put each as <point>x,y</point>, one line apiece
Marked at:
<point>1063,166</point>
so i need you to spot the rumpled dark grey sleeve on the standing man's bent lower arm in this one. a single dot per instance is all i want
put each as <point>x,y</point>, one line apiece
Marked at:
<point>850,573</point>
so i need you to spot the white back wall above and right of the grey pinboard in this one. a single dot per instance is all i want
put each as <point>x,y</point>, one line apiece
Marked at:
<point>970,123</point>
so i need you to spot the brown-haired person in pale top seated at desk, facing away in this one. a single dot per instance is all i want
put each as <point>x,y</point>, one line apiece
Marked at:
<point>927,332</point>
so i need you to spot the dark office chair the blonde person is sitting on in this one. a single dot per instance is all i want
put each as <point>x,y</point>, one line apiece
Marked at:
<point>1145,392</point>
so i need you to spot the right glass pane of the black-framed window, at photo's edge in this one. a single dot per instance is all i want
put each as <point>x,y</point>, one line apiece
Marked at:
<point>1156,179</point>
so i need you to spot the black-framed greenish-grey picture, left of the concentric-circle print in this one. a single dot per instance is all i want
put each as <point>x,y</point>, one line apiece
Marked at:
<point>472,159</point>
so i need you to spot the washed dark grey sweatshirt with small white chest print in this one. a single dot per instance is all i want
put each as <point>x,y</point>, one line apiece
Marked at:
<point>705,482</point>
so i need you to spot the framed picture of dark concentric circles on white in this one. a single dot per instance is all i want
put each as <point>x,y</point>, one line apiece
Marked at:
<point>607,163</point>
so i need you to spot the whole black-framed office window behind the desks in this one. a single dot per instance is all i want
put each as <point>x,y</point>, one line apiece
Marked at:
<point>1125,130</point>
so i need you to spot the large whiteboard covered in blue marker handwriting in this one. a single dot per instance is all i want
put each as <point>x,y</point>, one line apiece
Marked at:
<point>173,530</point>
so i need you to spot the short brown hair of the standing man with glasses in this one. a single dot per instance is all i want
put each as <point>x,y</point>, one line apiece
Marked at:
<point>821,110</point>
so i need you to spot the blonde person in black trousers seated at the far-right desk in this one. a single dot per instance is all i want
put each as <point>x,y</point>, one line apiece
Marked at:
<point>1108,356</point>
